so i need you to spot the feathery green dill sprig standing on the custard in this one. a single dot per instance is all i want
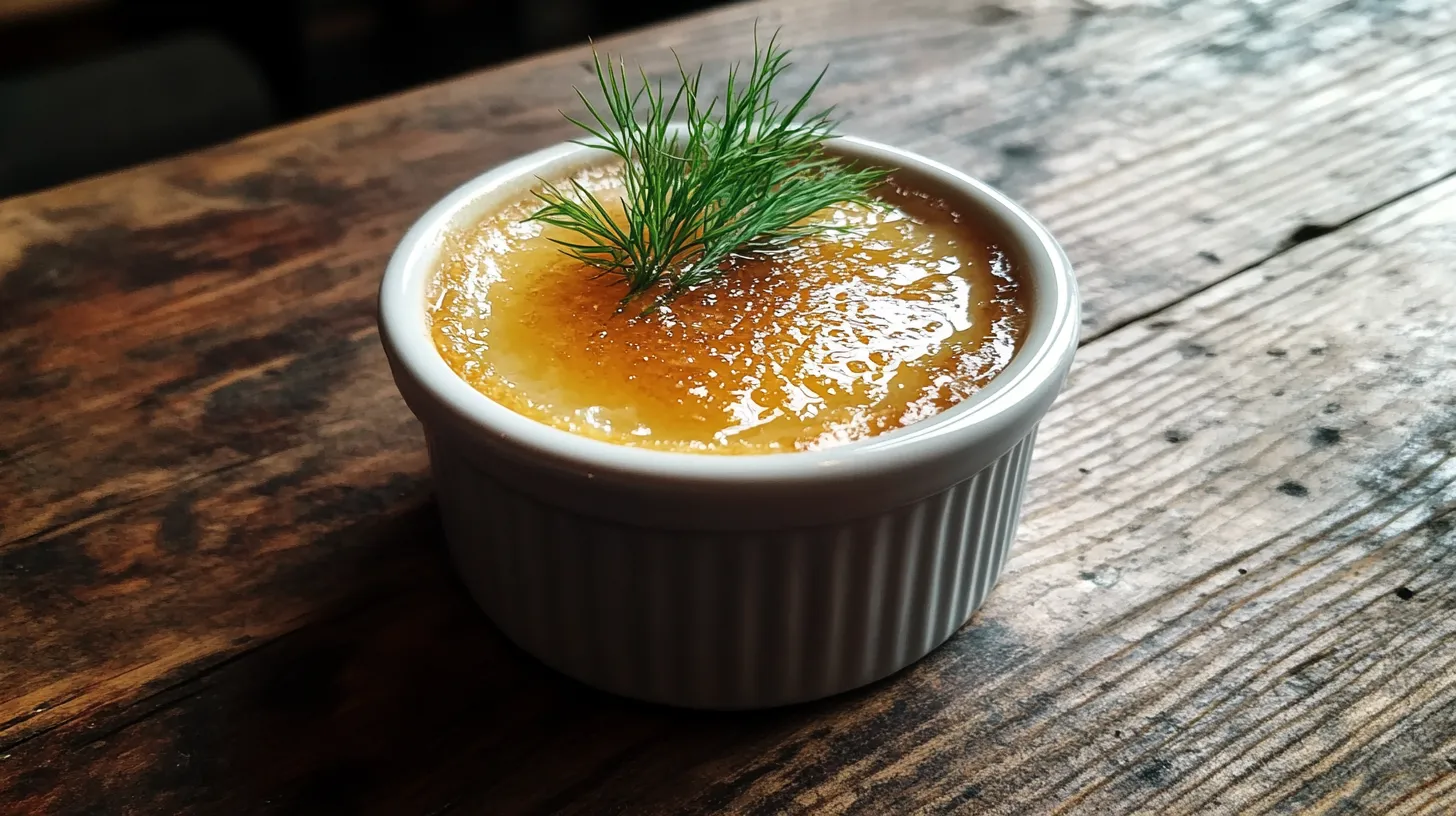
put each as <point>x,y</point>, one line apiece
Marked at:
<point>737,176</point>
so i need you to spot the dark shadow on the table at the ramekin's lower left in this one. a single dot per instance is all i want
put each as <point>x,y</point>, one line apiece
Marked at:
<point>414,702</point>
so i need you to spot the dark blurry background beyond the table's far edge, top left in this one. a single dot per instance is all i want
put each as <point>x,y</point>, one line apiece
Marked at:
<point>90,87</point>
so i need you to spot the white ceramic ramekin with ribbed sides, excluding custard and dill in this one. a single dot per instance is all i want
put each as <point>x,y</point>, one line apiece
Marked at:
<point>730,582</point>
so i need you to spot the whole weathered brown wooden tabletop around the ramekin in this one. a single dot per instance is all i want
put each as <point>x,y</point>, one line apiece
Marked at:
<point>222,582</point>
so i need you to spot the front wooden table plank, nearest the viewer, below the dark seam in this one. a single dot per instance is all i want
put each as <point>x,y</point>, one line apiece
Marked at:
<point>1235,594</point>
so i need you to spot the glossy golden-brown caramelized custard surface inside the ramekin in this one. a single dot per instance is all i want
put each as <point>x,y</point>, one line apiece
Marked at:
<point>901,313</point>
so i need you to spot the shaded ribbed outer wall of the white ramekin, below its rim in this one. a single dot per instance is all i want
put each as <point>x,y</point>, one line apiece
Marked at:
<point>730,620</point>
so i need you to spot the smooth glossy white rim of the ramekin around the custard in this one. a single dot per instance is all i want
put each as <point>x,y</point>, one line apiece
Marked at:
<point>1040,364</point>
